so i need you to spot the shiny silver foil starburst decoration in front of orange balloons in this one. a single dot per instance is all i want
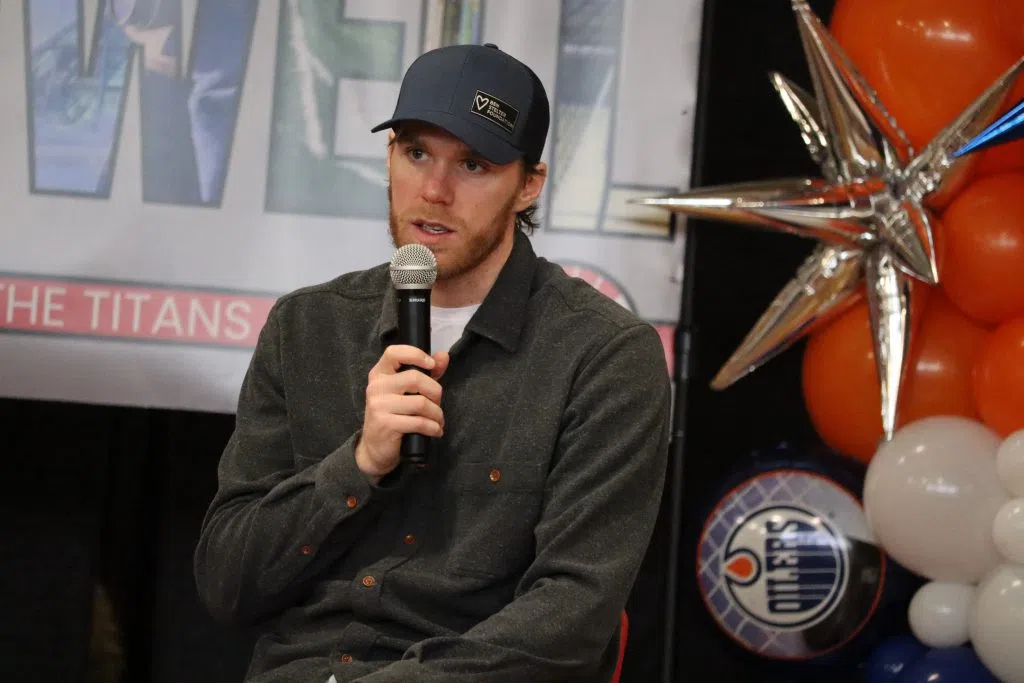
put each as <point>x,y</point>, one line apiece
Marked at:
<point>871,211</point>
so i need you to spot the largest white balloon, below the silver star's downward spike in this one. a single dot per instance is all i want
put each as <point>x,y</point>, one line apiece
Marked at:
<point>931,495</point>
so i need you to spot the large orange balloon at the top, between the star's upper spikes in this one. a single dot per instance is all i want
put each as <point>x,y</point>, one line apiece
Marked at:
<point>928,60</point>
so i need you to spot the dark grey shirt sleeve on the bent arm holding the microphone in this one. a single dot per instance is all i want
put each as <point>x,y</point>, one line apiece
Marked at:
<point>274,526</point>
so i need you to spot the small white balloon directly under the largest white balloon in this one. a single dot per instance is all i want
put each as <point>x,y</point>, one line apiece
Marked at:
<point>940,613</point>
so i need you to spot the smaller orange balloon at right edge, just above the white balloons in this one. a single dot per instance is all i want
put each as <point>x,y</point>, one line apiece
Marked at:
<point>999,378</point>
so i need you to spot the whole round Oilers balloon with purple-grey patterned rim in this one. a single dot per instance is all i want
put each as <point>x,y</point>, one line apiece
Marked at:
<point>788,567</point>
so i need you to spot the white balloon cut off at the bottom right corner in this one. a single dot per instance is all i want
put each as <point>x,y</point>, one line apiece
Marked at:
<point>997,623</point>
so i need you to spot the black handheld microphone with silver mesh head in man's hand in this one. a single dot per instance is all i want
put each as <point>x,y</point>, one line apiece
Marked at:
<point>414,271</point>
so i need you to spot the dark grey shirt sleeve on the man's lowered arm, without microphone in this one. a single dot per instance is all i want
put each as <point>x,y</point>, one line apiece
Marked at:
<point>603,499</point>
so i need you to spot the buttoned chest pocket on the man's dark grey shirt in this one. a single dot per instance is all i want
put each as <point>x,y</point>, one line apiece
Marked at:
<point>493,511</point>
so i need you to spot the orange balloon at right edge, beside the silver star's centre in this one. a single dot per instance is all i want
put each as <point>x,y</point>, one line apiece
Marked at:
<point>984,232</point>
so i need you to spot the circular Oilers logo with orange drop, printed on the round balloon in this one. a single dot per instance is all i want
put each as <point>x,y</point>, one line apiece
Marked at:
<point>785,567</point>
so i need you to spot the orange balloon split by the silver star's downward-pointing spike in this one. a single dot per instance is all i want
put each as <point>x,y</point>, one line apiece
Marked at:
<point>841,386</point>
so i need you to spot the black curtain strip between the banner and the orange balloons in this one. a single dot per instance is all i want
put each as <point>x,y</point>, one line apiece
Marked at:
<point>744,134</point>
